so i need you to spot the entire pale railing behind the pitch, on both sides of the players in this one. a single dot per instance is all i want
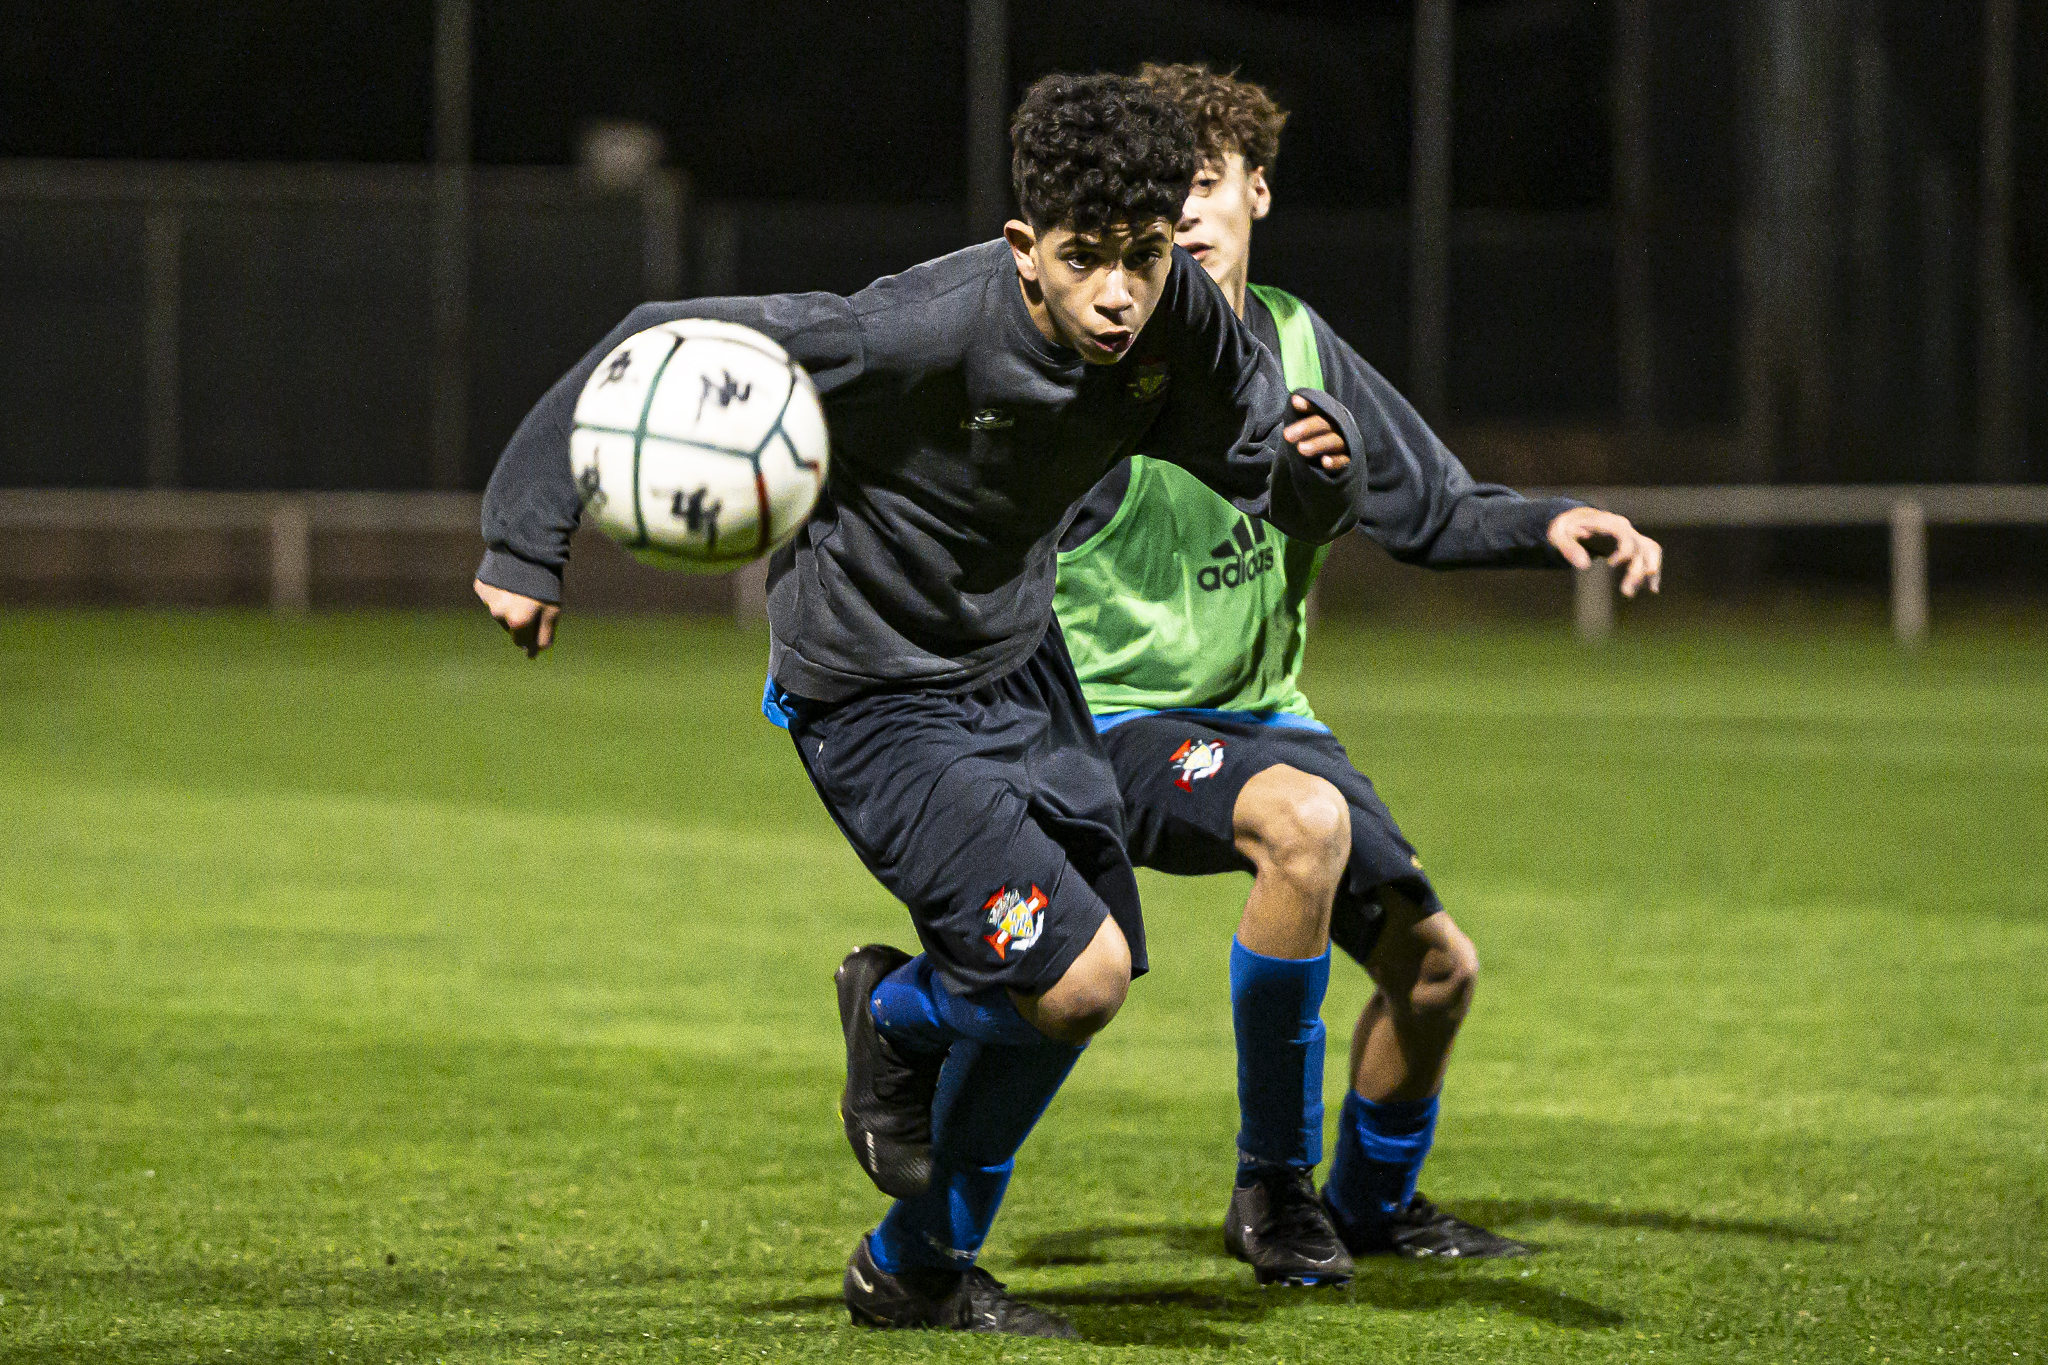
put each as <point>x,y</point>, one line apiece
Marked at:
<point>294,519</point>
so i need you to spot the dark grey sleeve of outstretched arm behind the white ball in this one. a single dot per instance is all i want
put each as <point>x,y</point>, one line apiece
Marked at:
<point>531,507</point>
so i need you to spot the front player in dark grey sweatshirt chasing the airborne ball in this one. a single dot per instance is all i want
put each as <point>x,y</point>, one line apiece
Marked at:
<point>914,656</point>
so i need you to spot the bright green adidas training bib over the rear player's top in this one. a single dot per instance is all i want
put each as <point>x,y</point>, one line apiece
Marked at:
<point>1183,601</point>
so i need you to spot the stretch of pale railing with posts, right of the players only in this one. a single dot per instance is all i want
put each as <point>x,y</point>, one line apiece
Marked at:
<point>1908,509</point>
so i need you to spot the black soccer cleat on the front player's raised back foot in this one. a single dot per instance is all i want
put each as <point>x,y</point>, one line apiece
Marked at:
<point>888,1102</point>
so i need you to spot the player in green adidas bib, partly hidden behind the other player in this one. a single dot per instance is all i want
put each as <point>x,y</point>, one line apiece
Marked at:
<point>1187,627</point>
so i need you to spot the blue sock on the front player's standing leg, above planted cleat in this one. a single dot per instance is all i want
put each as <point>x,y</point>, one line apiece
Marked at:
<point>988,1102</point>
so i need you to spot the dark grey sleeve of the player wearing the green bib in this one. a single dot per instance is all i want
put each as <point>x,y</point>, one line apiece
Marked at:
<point>1416,498</point>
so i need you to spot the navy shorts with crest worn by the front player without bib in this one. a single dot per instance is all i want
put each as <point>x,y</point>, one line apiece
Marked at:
<point>992,816</point>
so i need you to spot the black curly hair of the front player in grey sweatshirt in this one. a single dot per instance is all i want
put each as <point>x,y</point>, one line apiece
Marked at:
<point>1099,150</point>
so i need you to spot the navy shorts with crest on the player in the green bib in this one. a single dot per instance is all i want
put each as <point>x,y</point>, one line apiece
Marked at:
<point>1181,777</point>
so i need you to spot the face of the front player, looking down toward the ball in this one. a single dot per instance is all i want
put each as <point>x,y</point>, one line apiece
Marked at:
<point>1093,292</point>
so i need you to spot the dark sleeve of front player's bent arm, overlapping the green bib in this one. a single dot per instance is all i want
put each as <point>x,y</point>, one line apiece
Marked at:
<point>1226,408</point>
